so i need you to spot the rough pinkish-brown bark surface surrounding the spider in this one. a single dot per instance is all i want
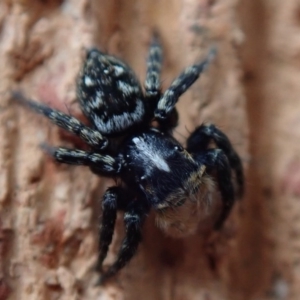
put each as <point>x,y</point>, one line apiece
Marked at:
<point>50,213</point>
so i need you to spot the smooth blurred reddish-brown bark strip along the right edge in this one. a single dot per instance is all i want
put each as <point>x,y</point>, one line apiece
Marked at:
<point>269,239</point>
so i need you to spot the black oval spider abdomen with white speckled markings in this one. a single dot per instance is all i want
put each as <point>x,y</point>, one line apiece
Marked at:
<point>109,93</point>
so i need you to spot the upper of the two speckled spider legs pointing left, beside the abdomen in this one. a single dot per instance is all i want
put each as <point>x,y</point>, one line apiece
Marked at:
<point>67,122</point>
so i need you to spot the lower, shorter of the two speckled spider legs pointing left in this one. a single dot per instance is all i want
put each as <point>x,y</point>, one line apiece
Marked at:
<point>103,164</point>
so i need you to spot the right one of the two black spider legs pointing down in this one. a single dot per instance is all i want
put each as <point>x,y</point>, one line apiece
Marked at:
<point>134,217</point>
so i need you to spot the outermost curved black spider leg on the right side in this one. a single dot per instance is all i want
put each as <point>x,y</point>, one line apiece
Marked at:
<point>199,141</point>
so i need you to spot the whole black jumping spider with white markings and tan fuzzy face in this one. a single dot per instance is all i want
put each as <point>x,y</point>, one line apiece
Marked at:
<point>151,168</point>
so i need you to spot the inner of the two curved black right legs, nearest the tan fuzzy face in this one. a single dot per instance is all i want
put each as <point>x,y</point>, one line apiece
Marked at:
<point>215,159</point>
